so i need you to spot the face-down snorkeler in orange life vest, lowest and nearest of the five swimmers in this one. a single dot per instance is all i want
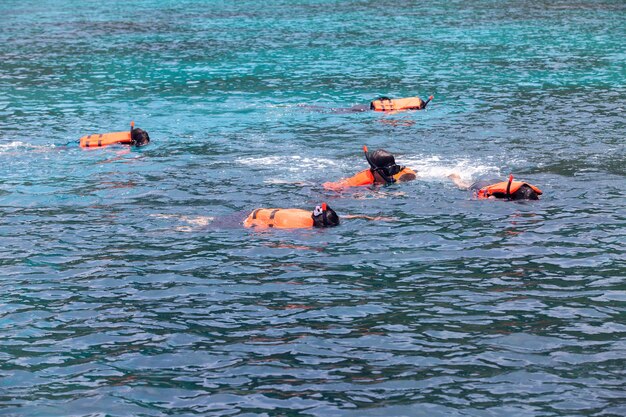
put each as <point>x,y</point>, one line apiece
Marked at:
<point>279,218</point>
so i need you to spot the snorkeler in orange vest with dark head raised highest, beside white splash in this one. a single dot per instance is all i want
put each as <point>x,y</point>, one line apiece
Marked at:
<point>383,170</point>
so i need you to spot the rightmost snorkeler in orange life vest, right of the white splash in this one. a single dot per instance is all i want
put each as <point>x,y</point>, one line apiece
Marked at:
<point>507,190</point>
